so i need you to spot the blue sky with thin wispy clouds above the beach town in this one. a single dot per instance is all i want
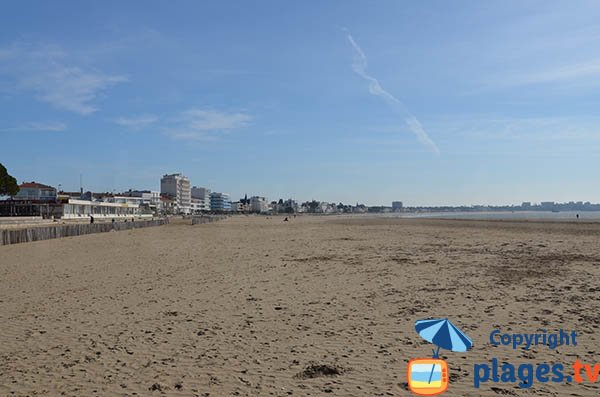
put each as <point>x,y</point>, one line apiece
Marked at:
<point>428,102</point>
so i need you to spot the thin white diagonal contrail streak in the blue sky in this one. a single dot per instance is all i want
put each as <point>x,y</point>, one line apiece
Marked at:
<point>359,65</point>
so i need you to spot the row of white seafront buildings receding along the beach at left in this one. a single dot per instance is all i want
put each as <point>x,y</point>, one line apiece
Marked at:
<point>176,196</point>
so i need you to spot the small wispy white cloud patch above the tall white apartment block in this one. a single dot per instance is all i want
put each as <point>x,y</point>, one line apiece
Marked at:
<point>200,124</point>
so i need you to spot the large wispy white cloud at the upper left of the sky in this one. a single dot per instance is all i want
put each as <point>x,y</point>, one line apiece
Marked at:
<point>47,73</point>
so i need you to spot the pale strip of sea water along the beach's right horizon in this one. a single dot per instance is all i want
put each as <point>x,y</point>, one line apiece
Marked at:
<point>507,215</point>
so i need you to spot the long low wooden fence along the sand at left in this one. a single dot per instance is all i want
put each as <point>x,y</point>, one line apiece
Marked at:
<point>16,236</point>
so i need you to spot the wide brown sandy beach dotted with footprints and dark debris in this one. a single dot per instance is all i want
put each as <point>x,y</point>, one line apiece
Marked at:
<point>243,306</point>
